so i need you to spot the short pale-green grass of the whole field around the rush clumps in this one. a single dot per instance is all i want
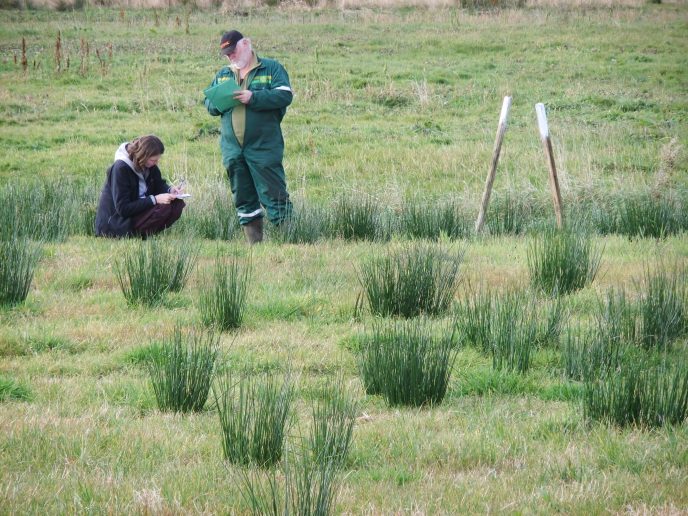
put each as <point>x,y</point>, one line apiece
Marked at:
<point>397,105</point>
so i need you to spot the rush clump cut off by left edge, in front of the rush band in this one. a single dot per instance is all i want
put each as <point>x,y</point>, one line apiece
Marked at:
<point>19,258</point>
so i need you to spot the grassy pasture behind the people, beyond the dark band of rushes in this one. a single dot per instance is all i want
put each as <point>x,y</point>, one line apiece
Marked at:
<point>395,102</point>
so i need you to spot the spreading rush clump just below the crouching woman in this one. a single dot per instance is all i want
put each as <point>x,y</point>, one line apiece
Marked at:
<point>147,270</point>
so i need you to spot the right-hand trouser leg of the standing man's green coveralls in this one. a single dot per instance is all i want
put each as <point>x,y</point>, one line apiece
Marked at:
<point>271,186</point>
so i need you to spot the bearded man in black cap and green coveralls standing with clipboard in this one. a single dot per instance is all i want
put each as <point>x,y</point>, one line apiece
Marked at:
<point>251,141</point>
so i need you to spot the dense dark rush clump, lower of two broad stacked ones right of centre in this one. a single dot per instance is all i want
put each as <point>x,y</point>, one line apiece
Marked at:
<point>407,363</point>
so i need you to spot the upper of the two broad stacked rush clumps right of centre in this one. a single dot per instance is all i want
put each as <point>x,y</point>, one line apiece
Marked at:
<point>418,278</point>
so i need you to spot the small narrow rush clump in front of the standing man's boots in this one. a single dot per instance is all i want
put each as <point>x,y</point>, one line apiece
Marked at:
<point>224,293</point>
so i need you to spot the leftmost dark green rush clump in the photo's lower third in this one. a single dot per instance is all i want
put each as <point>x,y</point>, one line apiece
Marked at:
<point>181,370</point>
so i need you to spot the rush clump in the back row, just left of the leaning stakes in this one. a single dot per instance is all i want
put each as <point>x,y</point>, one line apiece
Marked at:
<point>430,221</point>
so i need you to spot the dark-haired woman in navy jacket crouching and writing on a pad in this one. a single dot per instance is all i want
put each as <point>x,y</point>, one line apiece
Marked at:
<point>136,200</point>
